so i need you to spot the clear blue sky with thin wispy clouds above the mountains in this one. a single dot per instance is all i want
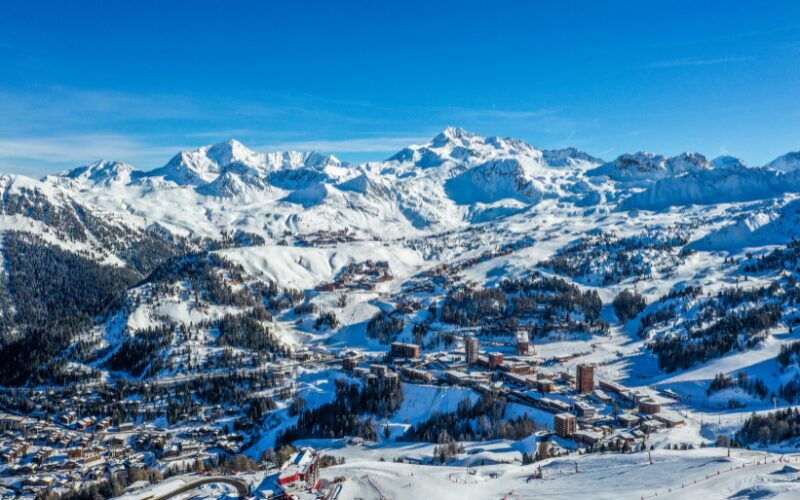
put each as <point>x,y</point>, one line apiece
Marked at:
<point>138,81</point>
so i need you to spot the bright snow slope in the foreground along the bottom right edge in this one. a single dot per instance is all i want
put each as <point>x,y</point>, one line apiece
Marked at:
<point>705,473</point>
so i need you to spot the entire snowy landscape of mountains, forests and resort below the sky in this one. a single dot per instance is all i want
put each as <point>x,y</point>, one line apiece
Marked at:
<point>472,317</point>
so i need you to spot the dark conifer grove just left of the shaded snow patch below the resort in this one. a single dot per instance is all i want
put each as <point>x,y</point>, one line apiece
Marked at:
<point>343,416</point>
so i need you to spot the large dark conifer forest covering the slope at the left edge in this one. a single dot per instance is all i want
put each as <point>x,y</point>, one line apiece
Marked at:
<point>55,295</point>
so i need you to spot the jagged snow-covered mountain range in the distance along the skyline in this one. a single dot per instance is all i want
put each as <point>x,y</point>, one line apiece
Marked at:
<point>456,178</point>
